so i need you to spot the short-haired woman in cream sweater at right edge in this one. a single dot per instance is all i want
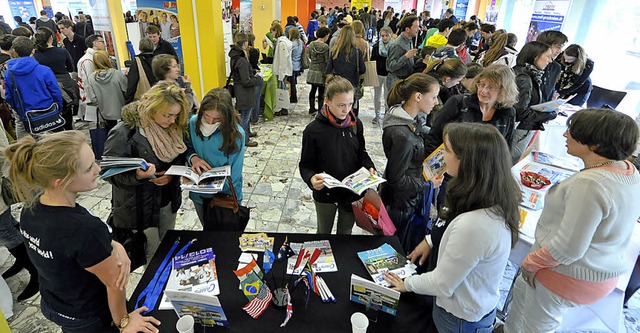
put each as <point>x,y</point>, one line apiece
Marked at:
<point>586,224</point>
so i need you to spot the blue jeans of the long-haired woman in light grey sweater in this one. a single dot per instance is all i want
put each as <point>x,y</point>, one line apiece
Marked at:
<point>448,323</point>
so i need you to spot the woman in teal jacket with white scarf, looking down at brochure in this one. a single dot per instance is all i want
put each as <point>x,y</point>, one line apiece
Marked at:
<point>216,138</point>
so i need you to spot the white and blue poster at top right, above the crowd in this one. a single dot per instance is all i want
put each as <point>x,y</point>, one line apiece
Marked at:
<point>547,15</point>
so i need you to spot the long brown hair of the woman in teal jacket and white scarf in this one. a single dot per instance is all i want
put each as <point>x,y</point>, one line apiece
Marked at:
<point>220,99</point>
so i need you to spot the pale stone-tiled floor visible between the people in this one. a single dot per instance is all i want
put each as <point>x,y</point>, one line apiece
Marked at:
<point>281,202</point>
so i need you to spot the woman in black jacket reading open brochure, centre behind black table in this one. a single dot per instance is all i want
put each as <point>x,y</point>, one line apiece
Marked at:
<point>334,144</point>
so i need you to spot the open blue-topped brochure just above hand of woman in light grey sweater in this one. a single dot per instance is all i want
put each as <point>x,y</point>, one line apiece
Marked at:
<point>386,259</point>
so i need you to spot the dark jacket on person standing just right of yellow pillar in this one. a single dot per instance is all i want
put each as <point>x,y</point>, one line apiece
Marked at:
<point>244,81</point>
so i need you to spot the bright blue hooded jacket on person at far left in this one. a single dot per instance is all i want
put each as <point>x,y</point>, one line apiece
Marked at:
<point>36,84</point>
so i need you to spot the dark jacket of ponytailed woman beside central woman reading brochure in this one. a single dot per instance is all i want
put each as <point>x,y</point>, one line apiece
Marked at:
<point>404,147</point>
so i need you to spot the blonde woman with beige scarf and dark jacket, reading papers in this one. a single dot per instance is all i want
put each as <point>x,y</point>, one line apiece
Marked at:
<point>153,129</point>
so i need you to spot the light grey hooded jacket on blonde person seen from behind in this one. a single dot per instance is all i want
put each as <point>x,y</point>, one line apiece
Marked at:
<point>107,88</point>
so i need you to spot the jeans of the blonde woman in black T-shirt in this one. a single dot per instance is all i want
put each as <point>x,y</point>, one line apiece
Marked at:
<point>98,324</point>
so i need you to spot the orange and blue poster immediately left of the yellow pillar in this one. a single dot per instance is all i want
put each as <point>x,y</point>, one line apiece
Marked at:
<point>165,13</point>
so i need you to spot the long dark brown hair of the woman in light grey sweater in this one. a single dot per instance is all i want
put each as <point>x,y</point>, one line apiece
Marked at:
<point>474,187</point>
